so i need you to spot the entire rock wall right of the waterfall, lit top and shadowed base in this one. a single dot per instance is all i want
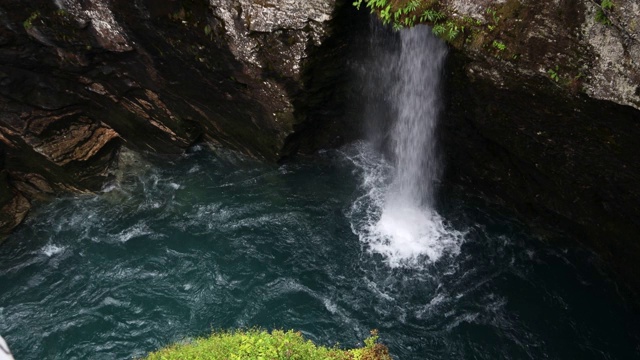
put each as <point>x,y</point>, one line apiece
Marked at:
<point>548,125</point>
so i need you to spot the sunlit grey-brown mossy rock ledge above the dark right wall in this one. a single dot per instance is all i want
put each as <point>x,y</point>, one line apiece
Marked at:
<point>583,46</point>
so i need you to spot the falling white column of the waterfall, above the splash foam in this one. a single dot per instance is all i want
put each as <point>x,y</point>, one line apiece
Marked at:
<point>416,102</point>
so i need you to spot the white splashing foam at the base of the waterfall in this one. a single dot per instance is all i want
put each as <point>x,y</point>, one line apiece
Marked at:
<point>404,233</point>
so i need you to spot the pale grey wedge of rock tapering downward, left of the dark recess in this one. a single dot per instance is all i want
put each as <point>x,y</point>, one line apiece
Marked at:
<point>272,41</point>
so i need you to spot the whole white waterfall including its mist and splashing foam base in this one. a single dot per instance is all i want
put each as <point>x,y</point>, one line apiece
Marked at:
<point>396,217</point>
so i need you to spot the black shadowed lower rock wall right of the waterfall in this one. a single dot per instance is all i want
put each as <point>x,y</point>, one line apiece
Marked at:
<point>564,162</point>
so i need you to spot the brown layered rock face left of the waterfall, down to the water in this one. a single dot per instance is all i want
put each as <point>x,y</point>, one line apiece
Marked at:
<point>80,79</point>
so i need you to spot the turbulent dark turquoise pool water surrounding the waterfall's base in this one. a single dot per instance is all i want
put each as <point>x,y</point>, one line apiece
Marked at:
<point>217,241</point>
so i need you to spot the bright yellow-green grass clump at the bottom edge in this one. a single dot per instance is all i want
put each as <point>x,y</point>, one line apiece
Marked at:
<point>262,345</point>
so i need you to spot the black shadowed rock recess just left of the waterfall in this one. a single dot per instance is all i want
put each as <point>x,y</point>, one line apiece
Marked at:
<point>326,112</point>
